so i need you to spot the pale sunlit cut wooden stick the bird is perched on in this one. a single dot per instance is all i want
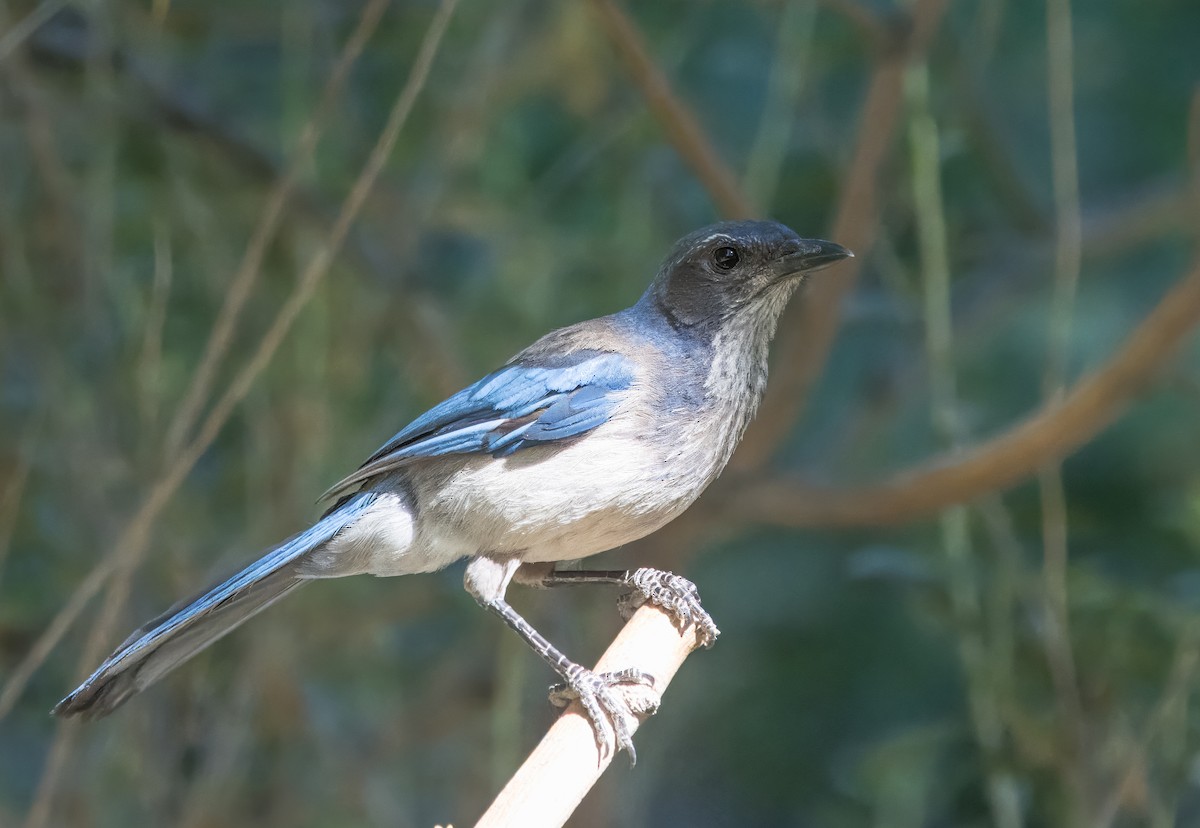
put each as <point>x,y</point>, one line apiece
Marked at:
<point>560,772</point>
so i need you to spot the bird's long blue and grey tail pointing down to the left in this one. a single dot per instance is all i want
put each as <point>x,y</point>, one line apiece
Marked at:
<point>191,626</point>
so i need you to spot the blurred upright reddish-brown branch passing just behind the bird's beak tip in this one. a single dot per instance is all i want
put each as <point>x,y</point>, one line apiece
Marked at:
<point>808,329</point>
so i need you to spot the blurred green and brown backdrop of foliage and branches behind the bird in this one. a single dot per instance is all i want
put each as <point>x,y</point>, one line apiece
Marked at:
<point>243,244</point>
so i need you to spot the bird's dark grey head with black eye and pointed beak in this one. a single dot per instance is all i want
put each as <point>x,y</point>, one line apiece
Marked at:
<point>725,269</point>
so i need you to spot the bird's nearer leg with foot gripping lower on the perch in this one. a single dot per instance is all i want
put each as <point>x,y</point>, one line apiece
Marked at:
<point>610,713</point>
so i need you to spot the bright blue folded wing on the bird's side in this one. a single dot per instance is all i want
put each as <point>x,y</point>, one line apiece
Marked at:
<point>519,406</point>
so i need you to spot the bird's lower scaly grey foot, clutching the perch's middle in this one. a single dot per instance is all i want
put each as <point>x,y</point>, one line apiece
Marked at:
<point>609,703</point>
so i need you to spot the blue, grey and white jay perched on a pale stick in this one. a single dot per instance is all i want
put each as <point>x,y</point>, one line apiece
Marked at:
<point>595,436</point>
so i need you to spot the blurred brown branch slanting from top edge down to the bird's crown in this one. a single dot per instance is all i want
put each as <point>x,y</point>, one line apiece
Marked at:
<point>673,115</point>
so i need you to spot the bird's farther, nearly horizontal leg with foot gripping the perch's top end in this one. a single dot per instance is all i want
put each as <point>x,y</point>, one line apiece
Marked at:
<point>675,595</point>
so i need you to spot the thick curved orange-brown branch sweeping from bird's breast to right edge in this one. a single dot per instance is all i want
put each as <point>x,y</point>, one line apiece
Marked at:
<point>1048,436</point>
